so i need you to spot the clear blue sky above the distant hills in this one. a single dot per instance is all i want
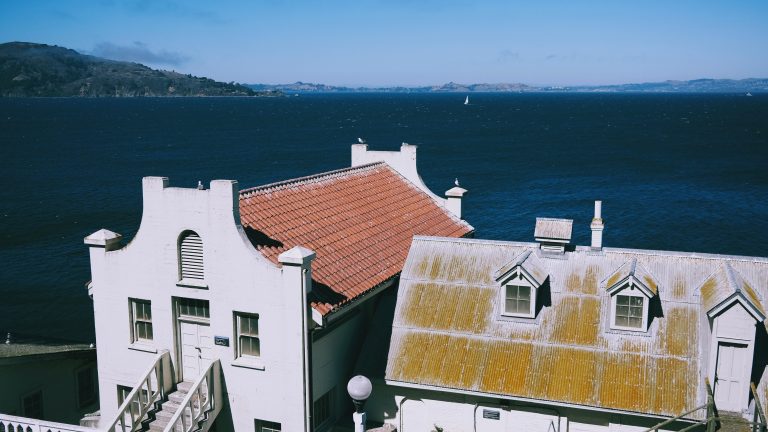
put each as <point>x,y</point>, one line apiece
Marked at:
<point>410,42</point>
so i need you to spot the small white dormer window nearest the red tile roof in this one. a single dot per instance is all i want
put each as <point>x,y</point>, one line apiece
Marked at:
<point>519,284</point>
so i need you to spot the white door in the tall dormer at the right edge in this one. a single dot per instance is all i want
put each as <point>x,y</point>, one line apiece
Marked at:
<point>730,368</point>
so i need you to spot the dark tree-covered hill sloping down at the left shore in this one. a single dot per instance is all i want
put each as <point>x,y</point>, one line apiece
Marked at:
<point>29,69</point>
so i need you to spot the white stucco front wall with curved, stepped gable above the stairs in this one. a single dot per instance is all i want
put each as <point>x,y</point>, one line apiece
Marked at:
<point>238,278</point>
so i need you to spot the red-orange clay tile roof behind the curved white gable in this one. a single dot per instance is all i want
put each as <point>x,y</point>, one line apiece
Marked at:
<point>360,221</point>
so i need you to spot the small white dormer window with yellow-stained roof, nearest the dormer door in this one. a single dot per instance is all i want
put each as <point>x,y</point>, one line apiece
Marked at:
<point>631,288</point>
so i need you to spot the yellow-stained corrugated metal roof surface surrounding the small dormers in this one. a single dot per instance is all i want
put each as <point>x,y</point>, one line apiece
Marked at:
<point>447,332</point>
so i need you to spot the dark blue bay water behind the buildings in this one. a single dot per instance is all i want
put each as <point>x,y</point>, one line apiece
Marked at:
<point>675,172</point>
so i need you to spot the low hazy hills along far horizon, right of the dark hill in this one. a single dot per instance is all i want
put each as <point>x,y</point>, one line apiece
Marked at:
<point>752,85</point>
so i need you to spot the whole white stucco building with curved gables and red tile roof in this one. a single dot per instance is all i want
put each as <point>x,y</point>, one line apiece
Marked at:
<point>259,294</point>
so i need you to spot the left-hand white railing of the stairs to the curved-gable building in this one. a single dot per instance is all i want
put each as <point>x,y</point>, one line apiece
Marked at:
<point>151,388</point>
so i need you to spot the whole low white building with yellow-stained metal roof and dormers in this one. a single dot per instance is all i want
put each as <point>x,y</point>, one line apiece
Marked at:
<point>506,336</point>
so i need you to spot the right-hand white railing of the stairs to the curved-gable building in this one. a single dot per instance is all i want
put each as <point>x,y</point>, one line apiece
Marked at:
<point>204,398</point>
